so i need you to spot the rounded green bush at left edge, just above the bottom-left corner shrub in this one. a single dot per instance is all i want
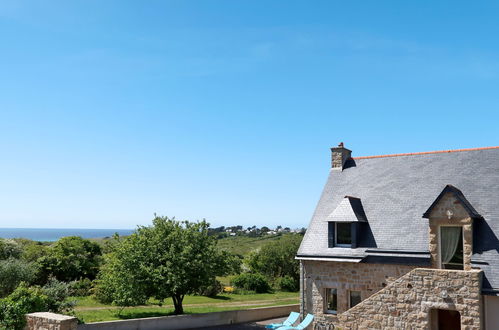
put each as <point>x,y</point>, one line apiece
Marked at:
<point>13,272</point>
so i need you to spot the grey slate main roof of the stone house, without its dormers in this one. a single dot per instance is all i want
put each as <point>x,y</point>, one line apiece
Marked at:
<point>396,192</point>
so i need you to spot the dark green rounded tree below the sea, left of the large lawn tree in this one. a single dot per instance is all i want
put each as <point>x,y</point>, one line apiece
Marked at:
<point>71,258</point>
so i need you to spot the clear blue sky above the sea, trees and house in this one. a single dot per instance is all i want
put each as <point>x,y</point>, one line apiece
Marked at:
<point>111,111</point>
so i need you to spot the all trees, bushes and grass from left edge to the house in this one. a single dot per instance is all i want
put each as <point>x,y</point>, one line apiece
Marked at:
<point>170,259</point>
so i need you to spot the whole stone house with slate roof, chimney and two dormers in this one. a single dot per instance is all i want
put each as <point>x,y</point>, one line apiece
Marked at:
<point>405,241</point>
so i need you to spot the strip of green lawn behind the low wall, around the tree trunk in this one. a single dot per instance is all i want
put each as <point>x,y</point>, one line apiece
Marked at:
<point>89,310</point>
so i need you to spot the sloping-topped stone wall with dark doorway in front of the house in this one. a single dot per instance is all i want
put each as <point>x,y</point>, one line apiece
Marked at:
<point>407,302</point>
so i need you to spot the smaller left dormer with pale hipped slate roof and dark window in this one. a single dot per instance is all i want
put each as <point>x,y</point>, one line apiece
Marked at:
<point>344,223</point>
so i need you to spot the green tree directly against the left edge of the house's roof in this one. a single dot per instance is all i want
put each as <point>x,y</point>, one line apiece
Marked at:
<point>277,259</point>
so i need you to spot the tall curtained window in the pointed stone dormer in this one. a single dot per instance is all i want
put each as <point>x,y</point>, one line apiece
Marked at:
<point>451,247</point>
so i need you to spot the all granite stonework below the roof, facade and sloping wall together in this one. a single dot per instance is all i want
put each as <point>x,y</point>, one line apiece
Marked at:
<point>393,296</point>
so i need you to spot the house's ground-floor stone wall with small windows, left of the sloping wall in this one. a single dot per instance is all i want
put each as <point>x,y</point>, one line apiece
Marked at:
<point>344,276</point>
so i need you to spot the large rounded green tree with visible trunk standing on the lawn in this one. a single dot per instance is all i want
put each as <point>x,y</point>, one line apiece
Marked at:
<point>168,259</point>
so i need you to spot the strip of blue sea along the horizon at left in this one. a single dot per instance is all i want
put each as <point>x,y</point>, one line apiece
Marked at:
<point>53,234</point>
